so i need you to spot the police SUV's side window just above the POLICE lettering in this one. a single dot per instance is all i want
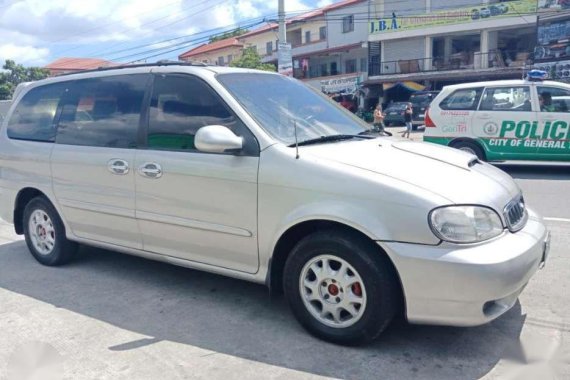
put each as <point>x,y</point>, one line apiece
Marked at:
<point>506,99</point>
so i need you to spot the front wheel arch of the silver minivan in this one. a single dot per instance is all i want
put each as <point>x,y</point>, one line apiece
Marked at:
<point>295,233</point>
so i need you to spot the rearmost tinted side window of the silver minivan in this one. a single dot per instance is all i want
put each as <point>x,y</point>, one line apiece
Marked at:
<point>34,116</point>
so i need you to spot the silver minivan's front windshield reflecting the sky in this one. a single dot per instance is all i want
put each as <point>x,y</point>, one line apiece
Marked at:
<point>279,103</point>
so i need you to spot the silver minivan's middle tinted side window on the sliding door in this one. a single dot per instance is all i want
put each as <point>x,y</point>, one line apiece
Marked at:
<point>103,112</point>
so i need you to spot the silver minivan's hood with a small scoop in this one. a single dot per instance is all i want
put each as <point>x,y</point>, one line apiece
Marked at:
<point>455,175</point>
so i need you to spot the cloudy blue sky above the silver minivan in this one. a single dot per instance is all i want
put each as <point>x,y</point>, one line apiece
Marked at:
<point>37,32</point>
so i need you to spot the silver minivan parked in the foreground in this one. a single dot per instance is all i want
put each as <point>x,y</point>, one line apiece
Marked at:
<point>253,175</point>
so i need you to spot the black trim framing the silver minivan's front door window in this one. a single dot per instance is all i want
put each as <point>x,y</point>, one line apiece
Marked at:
<point>145,123</point>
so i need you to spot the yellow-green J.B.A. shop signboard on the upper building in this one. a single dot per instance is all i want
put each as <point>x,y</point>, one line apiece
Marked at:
<point>474,13</point>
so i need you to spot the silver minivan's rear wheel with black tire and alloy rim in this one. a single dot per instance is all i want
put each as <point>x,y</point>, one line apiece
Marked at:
<point>45,234</point>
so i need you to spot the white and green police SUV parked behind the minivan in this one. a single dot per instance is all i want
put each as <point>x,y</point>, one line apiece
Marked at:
<point>503,120</point>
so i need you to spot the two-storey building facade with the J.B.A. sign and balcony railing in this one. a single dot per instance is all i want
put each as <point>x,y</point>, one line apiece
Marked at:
<point>429,44</point>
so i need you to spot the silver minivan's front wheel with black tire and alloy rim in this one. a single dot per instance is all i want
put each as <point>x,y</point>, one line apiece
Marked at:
<point>376,292</point>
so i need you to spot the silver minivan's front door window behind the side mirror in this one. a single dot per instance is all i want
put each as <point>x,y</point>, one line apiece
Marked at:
<point>182,104</point>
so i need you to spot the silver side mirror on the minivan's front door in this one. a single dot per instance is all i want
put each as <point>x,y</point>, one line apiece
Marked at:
<point>217,139</point>
